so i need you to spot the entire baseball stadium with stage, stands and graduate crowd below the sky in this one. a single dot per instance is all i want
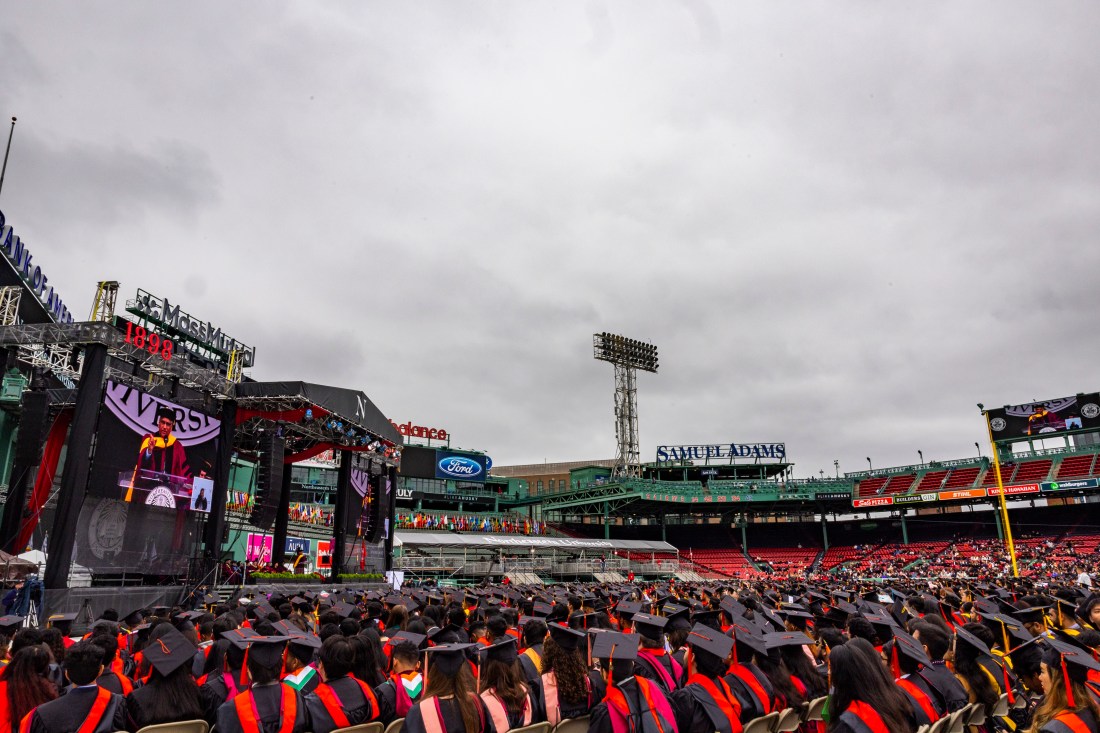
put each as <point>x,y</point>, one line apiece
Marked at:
<point>287,556</point>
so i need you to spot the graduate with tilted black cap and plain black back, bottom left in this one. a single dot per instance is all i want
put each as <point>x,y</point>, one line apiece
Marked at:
<point>171,694</point>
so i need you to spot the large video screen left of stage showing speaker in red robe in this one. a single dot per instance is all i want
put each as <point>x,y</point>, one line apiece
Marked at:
<point>151,485</point>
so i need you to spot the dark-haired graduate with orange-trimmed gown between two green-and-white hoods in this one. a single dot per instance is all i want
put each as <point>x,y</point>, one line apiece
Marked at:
<point>343,699</point>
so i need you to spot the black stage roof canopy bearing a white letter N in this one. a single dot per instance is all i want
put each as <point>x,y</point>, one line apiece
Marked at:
<point>349,406</point>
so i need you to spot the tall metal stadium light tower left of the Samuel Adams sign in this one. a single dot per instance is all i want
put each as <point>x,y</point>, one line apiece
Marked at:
<point>628,356</point>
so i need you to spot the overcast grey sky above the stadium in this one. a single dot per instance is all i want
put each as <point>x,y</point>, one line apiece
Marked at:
<point>843,225</point>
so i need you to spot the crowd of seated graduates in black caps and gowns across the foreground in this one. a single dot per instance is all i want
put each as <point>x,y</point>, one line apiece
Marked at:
<point>664,659</point>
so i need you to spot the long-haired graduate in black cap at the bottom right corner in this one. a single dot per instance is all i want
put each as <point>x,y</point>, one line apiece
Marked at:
<point>1068,707</point>
